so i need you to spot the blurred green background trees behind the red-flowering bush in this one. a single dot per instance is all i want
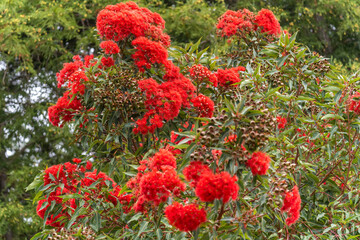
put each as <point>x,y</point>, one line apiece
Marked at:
<point>38,36</point>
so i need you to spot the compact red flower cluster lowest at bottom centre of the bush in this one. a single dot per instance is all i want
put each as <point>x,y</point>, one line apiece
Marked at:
<point>185,218</point>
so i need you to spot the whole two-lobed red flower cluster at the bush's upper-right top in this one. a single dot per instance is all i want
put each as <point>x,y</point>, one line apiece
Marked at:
<point>244,21</point>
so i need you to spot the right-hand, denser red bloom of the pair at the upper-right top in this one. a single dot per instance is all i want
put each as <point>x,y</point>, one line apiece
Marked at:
<point>266,20</point>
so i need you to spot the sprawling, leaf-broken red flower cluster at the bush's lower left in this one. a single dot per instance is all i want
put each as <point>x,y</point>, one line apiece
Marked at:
<point>69,175</point>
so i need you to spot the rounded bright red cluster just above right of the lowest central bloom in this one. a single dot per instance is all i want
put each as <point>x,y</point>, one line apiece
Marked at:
<point>216,186</point>
